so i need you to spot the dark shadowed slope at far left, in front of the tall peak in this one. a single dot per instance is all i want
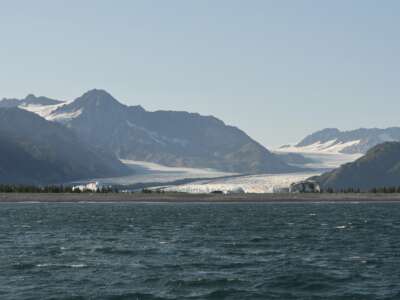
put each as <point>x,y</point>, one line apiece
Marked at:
<point>35,151</point>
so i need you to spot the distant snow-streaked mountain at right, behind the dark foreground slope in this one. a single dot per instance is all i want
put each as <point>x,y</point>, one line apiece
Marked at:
<point>349,142</point>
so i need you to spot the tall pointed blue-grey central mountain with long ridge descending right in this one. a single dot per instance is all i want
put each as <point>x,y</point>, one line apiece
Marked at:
<point>166,137</point>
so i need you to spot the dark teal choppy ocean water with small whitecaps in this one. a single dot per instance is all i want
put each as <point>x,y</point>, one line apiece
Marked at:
<point>200,251</point>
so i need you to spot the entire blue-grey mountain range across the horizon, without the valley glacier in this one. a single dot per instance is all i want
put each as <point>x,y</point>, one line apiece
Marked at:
<point>46,140</point>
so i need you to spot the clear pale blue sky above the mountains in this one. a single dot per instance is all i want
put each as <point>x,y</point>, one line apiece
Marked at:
<point>278,70</point>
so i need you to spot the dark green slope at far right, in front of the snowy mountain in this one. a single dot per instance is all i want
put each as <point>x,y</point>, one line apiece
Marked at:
<point>380,167</point>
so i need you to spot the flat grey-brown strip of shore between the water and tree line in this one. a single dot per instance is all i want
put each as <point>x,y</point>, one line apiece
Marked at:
<point>178,197</point>
